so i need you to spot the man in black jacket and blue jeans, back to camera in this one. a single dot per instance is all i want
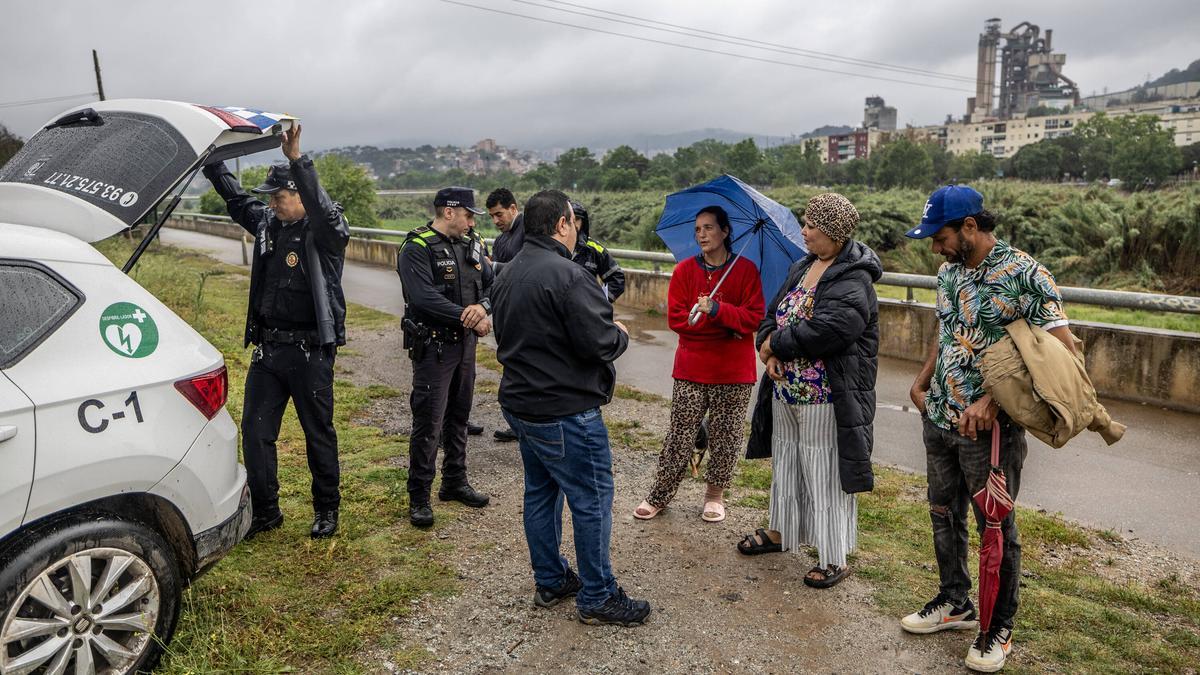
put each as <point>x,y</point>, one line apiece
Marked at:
<point>557,342</point>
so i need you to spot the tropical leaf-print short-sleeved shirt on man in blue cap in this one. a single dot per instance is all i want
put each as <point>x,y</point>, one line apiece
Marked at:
<point>974,308</point>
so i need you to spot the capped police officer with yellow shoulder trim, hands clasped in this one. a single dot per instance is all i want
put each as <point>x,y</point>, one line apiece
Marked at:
<point>446,277</point>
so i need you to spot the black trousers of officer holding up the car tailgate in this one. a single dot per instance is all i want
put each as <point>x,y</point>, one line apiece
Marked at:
<point>305,375</point>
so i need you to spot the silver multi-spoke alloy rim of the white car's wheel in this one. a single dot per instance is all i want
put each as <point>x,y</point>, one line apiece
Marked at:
<point>92,612</point>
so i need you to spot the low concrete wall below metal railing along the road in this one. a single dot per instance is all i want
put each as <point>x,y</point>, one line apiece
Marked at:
<point>1147,366</point>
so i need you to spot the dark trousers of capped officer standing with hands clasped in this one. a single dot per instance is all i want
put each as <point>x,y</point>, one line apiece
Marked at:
<point>443,389</point>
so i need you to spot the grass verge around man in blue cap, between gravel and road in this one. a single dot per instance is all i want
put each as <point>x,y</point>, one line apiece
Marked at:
<point>1071,618</point>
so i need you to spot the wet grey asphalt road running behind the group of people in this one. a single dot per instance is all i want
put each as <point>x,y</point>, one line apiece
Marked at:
<point>1145,487</point>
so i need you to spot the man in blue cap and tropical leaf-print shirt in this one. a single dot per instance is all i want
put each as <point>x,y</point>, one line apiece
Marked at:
<point>985,285</point>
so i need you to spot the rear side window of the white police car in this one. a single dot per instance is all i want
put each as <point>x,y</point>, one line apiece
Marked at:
<point>34,303</point>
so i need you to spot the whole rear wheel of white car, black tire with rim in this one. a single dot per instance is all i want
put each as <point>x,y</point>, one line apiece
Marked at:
<point>57,569</point>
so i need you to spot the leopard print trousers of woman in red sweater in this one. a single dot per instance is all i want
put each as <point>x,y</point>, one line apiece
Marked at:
<point>727,408</point>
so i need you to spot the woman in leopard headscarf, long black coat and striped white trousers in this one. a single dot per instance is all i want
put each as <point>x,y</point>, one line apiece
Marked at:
<point>817,404</point>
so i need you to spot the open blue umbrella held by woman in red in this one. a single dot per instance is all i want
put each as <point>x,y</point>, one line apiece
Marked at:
<point>765,232</point>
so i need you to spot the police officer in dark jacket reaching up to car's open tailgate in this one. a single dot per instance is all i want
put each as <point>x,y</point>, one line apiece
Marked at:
<point>297,320</point>
